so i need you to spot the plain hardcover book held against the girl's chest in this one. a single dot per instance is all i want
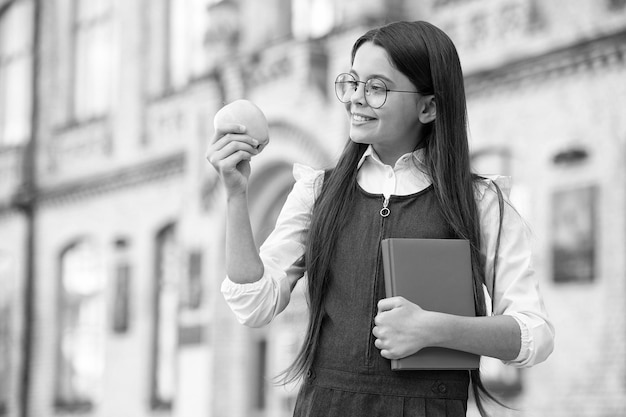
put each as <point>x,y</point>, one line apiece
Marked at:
<point>435,274</point>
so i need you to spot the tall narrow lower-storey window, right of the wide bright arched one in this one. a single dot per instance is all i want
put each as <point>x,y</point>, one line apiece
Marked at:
<point>166,319</point>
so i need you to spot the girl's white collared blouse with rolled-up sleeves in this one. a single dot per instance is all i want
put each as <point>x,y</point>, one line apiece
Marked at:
<point>516,293</point>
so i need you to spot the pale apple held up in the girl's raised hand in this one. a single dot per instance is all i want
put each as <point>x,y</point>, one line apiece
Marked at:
<point>248,114</point>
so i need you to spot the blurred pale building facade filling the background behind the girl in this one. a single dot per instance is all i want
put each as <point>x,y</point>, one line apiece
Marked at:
<point>112,223</point>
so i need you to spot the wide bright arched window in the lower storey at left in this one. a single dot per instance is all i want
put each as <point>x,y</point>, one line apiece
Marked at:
<point>81,331</point>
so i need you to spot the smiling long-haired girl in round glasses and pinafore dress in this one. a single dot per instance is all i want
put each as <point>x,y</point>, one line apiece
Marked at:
<point>404,173</point>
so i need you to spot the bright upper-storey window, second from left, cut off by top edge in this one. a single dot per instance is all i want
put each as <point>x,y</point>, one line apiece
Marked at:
<point>93,59</point>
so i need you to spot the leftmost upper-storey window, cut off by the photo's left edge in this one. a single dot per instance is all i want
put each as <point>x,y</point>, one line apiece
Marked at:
<point>16,66</point>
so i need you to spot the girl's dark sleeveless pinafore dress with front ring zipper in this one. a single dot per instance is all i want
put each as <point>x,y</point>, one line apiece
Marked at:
<point>349,377</point>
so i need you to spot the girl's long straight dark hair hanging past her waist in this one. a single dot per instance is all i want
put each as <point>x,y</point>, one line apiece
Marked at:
<point>427,56</point>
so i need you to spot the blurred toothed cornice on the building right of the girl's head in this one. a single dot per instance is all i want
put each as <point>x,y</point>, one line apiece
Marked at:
<point>583,56</point>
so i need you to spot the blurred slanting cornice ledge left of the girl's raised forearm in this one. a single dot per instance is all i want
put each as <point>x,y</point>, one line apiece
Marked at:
<point>154,170</point>
